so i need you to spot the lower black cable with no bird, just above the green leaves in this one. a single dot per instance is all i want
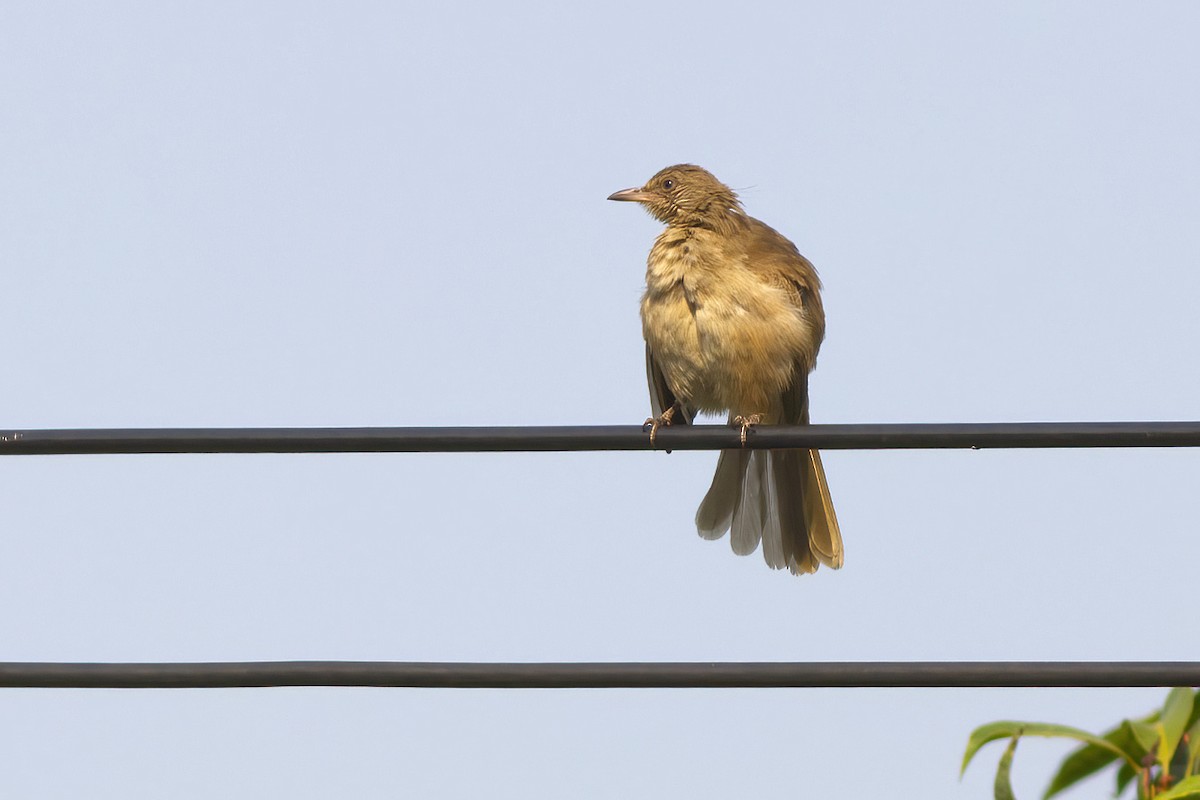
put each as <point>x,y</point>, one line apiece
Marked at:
<point>599,676</point>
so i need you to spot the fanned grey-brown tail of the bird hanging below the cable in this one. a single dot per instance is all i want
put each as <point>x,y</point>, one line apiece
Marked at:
<point>778,497</point>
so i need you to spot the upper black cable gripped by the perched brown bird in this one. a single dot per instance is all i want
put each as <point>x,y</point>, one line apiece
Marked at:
<point>578,438</point>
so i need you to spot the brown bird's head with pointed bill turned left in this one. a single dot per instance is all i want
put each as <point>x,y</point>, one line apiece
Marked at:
<point>683,195</point>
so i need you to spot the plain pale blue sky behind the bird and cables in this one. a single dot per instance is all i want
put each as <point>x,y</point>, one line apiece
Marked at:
<point>394,214</point>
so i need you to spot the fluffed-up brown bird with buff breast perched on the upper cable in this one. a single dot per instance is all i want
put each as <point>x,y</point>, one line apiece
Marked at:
<point>733,321</point>
